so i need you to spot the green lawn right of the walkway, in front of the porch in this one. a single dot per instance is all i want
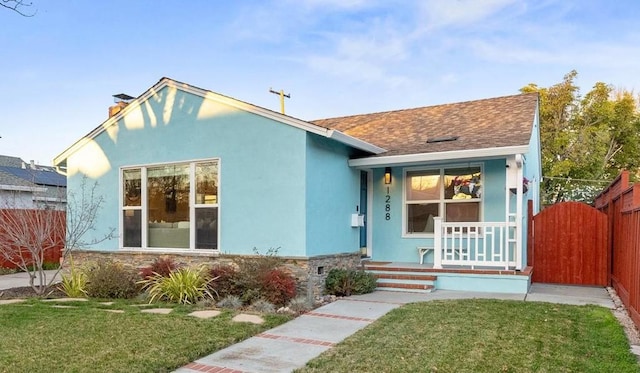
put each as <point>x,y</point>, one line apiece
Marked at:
<point>484,336</point>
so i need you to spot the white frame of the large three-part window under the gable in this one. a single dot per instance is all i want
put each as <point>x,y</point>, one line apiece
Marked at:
<point>144,211</point>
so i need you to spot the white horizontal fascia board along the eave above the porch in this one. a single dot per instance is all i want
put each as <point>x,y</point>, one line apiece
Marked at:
<point>407,159</point>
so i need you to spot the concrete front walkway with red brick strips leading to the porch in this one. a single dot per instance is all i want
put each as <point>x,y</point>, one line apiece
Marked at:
<point>293,344</point>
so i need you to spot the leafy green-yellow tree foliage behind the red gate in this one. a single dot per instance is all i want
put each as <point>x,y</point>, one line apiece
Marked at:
<point>586,140</point>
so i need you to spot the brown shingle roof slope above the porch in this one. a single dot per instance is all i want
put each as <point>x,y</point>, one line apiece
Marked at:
<point>495,122</point>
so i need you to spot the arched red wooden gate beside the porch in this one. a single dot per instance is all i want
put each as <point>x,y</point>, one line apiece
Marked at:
<point>569,241</point>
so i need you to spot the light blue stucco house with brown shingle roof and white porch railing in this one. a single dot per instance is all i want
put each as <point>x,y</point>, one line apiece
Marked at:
<point>191,173</point>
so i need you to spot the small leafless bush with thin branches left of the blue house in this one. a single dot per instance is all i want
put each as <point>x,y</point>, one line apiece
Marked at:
<point>29,236</point>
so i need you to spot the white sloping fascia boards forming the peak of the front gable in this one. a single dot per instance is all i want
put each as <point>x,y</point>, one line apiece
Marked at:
<point>60,160</point>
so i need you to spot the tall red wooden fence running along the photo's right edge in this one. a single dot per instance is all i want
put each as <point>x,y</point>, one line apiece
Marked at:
<point>621,202</point>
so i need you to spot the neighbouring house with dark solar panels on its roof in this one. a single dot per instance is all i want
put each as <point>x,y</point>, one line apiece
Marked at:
<point>30,186</point>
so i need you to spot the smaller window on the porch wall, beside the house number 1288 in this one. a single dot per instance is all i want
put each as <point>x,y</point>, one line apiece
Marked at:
<point>455,194</point>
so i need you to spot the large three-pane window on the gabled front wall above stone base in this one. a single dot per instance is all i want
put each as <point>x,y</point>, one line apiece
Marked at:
<point>170,206</point>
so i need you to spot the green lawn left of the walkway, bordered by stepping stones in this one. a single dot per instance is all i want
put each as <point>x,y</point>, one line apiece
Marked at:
<point>37,337</point>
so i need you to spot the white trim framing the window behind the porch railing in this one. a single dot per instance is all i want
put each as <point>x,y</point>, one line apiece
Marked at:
<point>441,201</point>
